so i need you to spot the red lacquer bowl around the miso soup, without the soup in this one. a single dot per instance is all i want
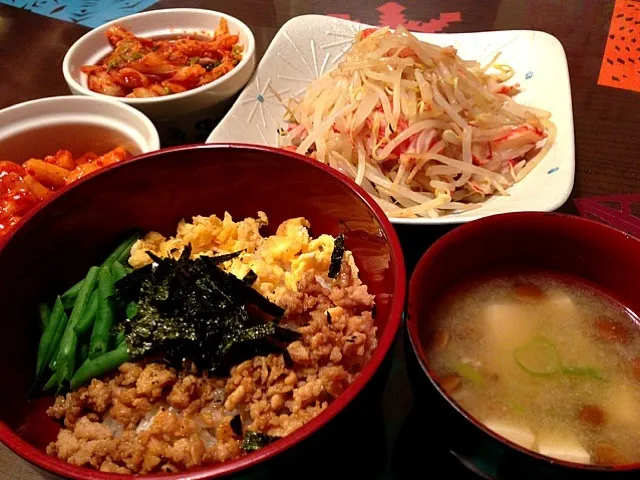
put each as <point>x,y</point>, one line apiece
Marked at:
<point>584,250</point>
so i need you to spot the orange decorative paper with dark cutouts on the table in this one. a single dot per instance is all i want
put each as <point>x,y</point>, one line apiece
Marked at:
<point>621,61</point>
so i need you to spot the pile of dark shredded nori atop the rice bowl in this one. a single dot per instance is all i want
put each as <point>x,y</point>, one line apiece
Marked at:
<point>192,310</point>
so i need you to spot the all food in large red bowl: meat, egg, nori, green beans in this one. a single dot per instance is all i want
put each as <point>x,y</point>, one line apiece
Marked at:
<point>202,346</point>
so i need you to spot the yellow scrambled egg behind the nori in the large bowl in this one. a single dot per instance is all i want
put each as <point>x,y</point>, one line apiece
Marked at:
<point>280,261</point>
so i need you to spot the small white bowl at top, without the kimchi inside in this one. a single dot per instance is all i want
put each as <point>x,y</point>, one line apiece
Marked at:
<point>93,47</point>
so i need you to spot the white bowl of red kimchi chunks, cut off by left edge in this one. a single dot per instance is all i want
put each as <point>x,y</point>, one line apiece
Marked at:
<point>49,143</point>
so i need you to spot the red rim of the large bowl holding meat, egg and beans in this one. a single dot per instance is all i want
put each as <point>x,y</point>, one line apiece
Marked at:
<point>385,341</point>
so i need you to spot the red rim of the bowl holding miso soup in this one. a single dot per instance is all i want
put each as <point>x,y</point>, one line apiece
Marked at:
<point>466,233</point>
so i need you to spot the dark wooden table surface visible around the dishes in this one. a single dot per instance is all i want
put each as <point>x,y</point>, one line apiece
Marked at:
<point>606,118</point>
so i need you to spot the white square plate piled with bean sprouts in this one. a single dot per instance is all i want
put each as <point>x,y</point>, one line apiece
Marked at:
<point>438,128</point>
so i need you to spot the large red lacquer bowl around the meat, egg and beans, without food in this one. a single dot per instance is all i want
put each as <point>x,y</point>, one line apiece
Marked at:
<point>55,244</point>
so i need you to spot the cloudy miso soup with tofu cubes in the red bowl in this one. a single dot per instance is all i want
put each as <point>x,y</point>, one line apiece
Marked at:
<point>548,363</point>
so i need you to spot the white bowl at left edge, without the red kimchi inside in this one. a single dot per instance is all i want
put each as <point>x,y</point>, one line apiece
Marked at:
<point>41,127</point>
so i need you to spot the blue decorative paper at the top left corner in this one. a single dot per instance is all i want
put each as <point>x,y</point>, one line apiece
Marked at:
<point>90,13</point>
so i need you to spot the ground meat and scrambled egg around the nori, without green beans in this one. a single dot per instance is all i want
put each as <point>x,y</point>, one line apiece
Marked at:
<point>151,416</point>
